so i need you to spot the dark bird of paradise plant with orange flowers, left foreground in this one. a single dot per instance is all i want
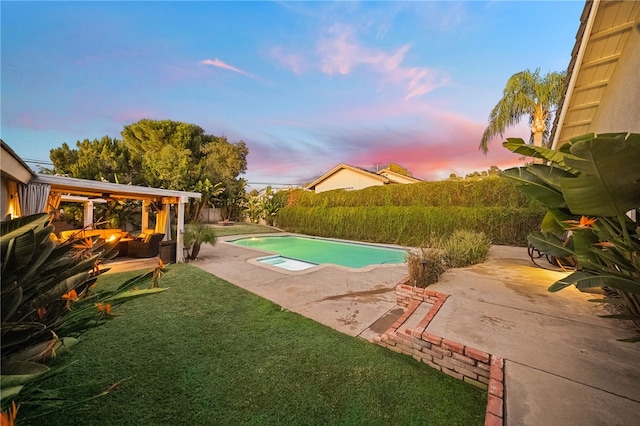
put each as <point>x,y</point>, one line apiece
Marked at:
<point>47,297</point>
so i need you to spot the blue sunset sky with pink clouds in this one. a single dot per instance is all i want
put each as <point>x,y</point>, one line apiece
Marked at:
<point>306,85</point>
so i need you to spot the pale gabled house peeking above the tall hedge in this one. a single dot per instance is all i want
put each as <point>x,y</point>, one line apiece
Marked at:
<point>347,177</point>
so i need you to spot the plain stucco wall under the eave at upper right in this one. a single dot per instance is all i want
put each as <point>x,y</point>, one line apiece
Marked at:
<point>619,109</point>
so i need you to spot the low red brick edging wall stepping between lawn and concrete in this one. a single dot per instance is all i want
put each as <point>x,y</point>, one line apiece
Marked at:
<point>462,362</point>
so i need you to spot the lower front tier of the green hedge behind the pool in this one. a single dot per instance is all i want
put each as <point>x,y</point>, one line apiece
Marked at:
<point>410,225</point>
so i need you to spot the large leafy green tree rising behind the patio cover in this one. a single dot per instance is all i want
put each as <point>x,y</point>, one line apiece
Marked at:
<point>162,154</point>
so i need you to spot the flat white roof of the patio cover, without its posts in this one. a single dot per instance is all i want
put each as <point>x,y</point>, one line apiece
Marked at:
<point>93,188</point>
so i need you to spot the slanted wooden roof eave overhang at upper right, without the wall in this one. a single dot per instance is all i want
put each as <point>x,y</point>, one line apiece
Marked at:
<point>604,30</point>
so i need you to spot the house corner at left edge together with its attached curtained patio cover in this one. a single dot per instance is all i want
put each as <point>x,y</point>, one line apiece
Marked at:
<point>25,192</point>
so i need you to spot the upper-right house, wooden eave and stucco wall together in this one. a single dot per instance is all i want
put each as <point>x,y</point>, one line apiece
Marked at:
<point>602,89</point>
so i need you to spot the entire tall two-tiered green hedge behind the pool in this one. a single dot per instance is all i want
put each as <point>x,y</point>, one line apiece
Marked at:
<point>411,215</point>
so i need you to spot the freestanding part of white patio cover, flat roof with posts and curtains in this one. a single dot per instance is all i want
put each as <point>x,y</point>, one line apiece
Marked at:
<point>88,192</point>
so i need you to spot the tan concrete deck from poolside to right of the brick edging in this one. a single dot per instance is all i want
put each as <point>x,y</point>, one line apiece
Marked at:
<point>563,363</point>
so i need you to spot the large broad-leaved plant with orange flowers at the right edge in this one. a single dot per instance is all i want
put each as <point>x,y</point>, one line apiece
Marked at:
<point>589,186</point>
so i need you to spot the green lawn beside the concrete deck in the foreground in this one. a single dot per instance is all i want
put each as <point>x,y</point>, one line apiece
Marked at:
<point>208,352</point>
